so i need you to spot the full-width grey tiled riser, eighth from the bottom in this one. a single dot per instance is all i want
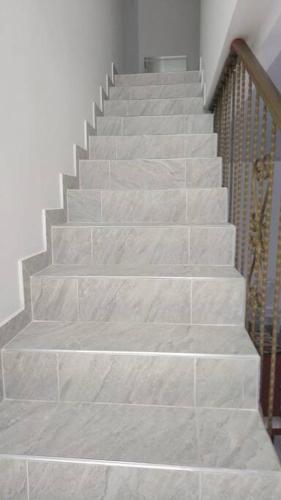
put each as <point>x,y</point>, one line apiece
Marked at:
<point>192,124</point>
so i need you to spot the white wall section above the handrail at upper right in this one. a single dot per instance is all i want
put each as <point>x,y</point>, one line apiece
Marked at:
<point>223,21</point>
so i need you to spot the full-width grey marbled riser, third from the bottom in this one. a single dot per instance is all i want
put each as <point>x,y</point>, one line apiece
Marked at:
<point>138,299</point>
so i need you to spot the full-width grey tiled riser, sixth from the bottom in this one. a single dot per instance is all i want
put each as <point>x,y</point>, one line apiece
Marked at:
<point>150,174</point>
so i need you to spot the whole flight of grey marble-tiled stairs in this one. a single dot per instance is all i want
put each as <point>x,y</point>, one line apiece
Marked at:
<point>136,378</point>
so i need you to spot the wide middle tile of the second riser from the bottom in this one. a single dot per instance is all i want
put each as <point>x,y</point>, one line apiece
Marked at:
<point>113,378</point>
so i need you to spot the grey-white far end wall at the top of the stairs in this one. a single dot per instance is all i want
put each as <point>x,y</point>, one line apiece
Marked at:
<point>168,28</point>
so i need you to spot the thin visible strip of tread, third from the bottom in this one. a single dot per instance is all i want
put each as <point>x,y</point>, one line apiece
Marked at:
<point>165,271</point>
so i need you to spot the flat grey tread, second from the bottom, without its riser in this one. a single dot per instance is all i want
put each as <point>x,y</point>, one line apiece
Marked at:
<point>134,338</point>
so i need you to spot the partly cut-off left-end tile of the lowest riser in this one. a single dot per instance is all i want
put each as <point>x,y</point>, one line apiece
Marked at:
<point>13,480</point>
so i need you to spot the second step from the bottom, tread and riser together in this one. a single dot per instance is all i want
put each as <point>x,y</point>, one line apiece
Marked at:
<point>133,364</point>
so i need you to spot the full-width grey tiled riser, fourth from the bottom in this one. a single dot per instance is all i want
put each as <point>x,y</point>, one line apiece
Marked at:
<point>203,245</point>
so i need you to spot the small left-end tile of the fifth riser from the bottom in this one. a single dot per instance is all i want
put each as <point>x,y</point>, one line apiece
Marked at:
<point>84,205</point>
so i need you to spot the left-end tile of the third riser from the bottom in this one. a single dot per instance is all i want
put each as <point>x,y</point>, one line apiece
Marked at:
<point>54,299</point>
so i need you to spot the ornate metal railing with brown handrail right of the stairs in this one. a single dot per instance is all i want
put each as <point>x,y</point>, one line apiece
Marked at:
<point>247,108</point>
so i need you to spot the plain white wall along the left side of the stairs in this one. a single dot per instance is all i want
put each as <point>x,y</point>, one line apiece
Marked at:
<point>54,54</point>
